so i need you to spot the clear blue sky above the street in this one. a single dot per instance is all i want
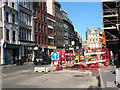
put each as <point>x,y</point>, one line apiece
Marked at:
<point>84,15</point>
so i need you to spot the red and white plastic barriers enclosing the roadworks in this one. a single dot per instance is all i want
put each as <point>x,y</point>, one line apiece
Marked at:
<point>92,59</point>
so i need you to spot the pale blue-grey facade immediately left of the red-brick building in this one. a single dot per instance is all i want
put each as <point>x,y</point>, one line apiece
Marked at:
<point>25,24</point>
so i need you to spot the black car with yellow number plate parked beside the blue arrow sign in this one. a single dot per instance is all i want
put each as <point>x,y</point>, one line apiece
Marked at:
<point>42,58</point>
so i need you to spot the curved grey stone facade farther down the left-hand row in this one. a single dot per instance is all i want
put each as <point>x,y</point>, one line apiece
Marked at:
<point>68,29</point>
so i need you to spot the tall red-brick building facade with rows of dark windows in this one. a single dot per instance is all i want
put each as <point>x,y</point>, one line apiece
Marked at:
<point>40,26</point>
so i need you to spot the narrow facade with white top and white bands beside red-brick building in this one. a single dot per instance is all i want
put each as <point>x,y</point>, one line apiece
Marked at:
<point>51,26</point>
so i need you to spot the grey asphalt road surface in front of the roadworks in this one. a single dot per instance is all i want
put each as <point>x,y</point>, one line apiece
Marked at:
<point>24,77</point>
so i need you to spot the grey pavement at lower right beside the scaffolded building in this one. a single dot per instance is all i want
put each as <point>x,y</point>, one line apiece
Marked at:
<point>107,78</point>
